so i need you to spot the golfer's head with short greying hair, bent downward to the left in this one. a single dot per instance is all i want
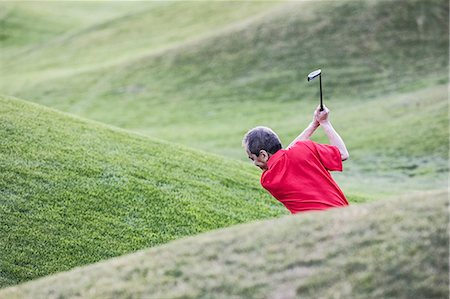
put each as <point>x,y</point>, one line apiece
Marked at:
<point>260,143</point>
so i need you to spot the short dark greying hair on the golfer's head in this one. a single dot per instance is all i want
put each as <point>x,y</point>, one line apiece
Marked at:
<point>261,138</point>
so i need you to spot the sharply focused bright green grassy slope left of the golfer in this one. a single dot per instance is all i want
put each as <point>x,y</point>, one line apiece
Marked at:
<point>74,192</point>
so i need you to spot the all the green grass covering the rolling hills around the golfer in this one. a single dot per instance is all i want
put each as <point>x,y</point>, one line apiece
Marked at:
<point>74,192</point>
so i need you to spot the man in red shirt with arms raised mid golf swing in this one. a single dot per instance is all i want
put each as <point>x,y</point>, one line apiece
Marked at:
<point>299,176</point>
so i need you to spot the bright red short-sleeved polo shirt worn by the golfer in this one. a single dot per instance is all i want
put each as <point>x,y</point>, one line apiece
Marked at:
<point>299,177</point>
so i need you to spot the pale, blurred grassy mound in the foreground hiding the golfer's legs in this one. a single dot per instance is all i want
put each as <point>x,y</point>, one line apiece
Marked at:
<point>388,249</point>
